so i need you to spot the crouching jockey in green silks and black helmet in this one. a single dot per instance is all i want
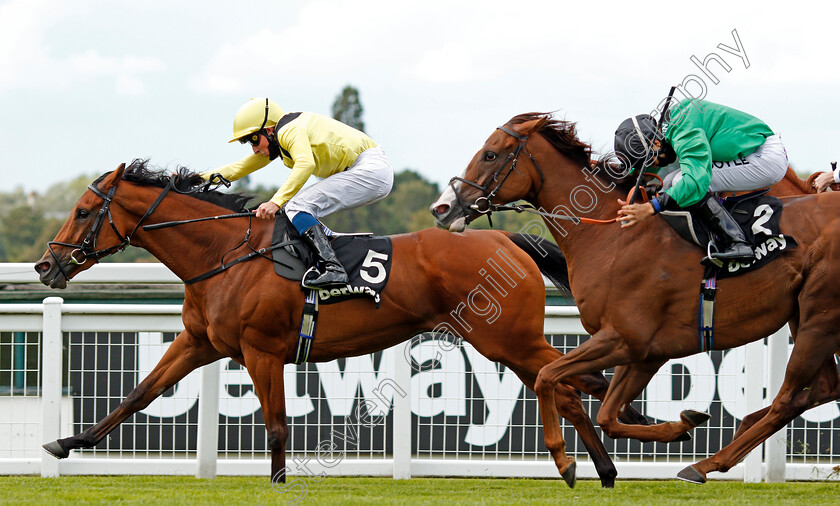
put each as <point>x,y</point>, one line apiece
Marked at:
<point>719,149</point>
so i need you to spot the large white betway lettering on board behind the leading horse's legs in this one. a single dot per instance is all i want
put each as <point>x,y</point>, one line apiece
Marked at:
<point>437,389</point>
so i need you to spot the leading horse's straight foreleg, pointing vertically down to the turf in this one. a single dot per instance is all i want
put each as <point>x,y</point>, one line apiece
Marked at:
<point>266,370</point>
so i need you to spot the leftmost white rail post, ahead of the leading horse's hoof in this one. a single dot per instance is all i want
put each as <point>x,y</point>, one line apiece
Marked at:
<point>51,349</point>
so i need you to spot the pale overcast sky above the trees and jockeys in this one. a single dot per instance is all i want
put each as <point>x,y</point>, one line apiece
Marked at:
<point>86,84</point>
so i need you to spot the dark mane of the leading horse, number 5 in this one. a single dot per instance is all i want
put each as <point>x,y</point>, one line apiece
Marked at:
<point>139,172</point>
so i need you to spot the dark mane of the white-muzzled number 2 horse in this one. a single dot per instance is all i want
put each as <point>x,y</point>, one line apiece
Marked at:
<point>563,136</point>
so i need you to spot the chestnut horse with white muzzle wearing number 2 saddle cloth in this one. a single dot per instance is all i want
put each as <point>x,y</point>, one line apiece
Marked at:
<point>637,289</point>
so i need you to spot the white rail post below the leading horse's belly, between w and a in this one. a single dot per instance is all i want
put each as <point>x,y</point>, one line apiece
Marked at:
<point>402,414</point>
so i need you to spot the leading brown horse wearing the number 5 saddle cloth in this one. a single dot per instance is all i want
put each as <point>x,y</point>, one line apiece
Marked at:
<point>251,315</point>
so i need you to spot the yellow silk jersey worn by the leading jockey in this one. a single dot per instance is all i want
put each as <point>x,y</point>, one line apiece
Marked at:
<point>310,145</point>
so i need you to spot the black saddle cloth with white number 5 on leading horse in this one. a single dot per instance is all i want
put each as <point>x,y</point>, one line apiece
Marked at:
<point>366,258</point>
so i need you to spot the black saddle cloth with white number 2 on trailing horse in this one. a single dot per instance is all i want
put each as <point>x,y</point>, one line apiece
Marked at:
<point>757,214</point>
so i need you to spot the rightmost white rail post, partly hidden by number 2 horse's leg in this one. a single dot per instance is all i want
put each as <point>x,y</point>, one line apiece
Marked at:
<point>776,446</point>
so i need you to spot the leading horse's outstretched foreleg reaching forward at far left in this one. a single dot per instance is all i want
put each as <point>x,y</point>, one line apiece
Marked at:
<point>184,355</point>
